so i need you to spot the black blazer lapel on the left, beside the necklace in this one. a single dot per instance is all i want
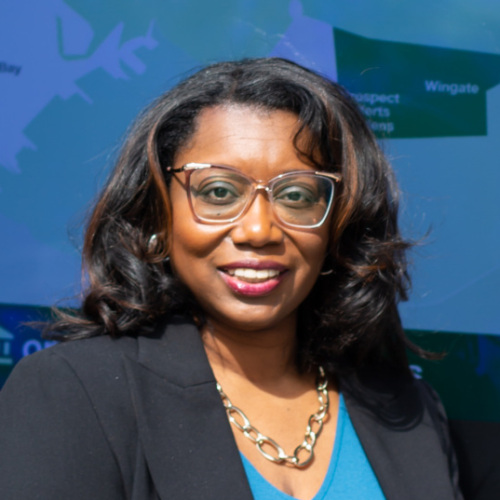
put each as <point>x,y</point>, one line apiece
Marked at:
<point>182,424</point>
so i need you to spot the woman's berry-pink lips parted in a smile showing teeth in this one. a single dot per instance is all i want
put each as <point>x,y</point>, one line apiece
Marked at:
<point>253,278</point>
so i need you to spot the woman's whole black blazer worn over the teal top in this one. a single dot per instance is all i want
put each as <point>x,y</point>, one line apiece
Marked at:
<point>140,418</point>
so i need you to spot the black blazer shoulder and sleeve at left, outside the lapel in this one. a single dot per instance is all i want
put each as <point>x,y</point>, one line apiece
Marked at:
<point>70,405</point>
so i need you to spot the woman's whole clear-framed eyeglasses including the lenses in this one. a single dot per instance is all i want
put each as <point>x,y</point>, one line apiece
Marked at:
<point>218,194</point>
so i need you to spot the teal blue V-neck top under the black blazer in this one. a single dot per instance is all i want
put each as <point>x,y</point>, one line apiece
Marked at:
<point>349,476</point>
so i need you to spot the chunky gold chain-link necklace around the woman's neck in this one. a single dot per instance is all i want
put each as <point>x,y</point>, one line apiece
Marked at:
<point>313,429</point>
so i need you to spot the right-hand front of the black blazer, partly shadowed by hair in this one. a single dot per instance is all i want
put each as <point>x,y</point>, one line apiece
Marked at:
<point>400,441</point>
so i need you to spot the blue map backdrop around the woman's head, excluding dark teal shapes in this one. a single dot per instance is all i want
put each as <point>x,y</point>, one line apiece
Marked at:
<point>74,74</point>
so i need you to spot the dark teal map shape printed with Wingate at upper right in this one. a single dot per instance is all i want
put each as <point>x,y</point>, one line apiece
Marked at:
<point>409,90</point>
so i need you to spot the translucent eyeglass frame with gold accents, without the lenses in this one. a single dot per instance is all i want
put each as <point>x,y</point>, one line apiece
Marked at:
<point>257,185</point>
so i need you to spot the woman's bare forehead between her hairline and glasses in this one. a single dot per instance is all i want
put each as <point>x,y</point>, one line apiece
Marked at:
<point>258,142</point>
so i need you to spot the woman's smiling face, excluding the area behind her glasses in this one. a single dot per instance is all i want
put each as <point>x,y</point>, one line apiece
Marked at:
<point>253,273</point>
